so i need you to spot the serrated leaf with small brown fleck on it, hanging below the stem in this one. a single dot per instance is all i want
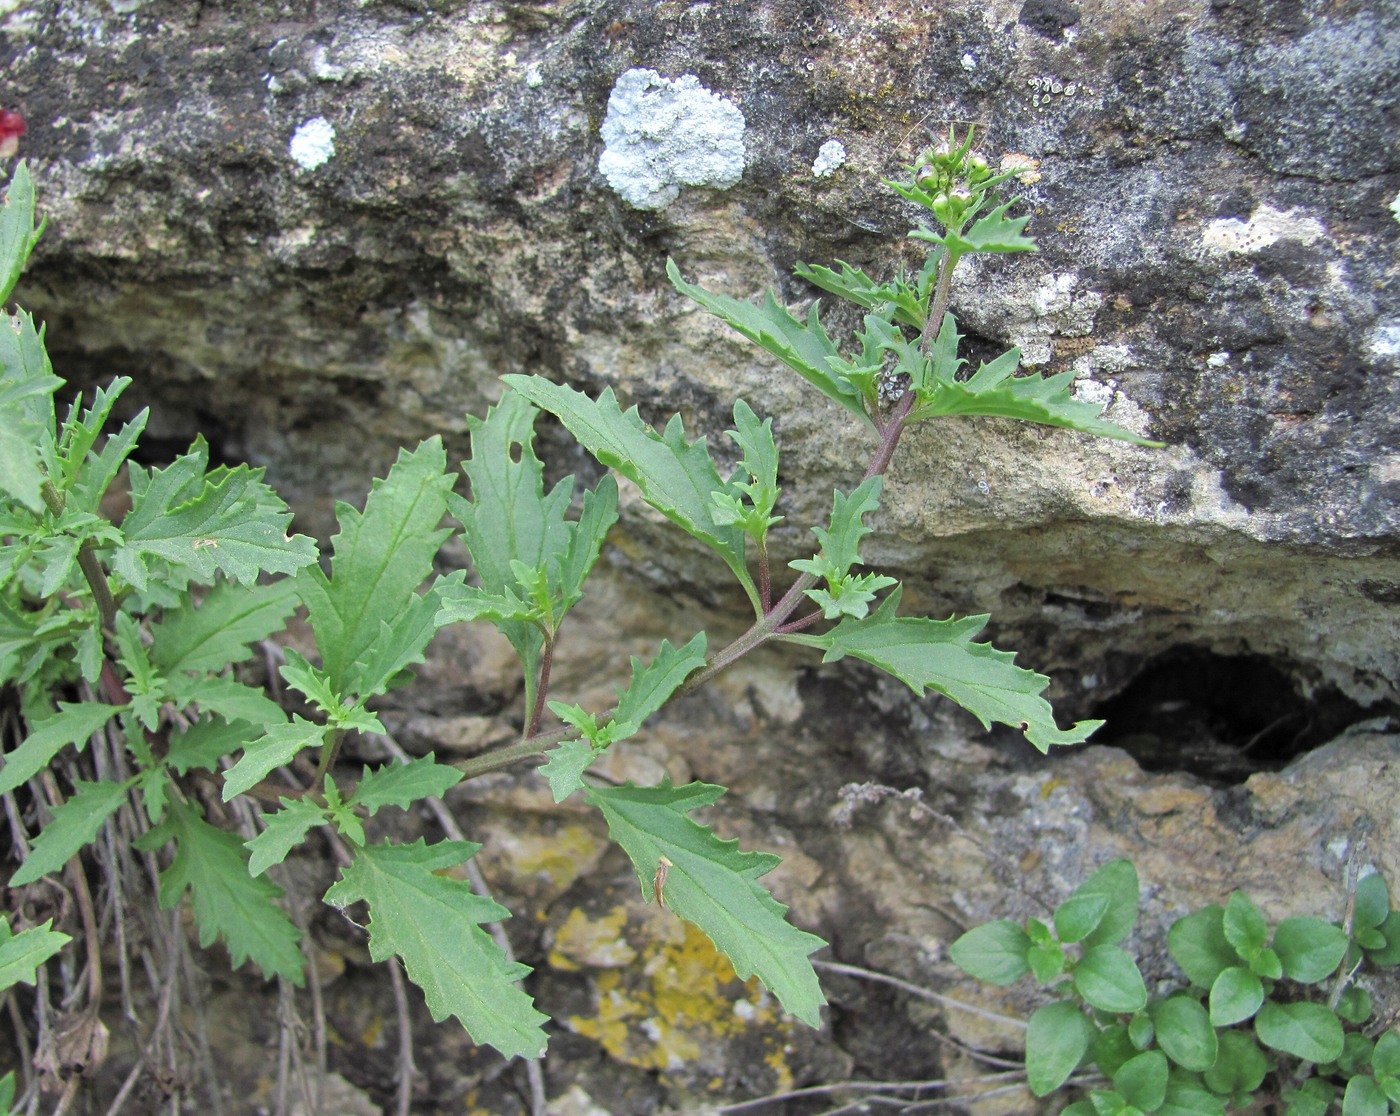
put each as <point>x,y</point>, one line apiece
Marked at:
<point>713,886</point>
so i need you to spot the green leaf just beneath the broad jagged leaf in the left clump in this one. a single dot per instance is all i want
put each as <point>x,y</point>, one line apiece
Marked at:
<point>219,631</point>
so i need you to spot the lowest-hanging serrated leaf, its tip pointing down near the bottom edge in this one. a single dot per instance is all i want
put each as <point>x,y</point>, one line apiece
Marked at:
<point>433,923</point>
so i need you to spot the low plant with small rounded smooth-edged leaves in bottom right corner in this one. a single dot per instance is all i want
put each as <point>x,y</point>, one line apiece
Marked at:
<point>1262,1020</point>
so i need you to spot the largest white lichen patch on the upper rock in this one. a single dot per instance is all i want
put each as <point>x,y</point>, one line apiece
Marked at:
<point>661,135</point>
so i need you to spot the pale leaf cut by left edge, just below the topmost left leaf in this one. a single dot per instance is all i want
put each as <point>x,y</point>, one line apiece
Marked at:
<point>27,386</point>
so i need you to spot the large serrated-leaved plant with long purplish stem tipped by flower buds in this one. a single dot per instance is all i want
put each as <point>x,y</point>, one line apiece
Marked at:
<point>135,632</point>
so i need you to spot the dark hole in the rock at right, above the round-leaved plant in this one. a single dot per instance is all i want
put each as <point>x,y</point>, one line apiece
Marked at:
<point>1220,718</point>
